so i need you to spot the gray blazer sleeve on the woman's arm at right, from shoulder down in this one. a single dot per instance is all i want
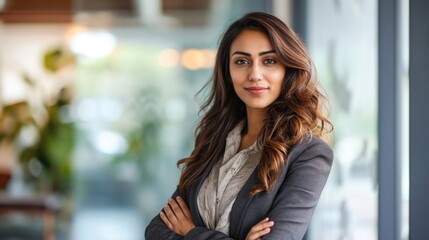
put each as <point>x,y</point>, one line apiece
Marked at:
<point>294,204</point>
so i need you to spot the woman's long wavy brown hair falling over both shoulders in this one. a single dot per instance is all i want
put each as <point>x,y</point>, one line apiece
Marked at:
<point>300,108</point>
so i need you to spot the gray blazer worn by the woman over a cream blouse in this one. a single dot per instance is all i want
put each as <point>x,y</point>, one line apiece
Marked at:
<point>290,204</point>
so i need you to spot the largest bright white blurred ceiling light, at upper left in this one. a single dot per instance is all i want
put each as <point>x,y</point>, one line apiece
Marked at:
<point>94,44</point>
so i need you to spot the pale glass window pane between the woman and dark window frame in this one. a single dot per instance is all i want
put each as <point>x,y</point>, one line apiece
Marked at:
<point>342,39</point>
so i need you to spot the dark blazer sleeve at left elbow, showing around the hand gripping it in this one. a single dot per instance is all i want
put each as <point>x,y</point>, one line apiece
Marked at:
<point>158,230</point>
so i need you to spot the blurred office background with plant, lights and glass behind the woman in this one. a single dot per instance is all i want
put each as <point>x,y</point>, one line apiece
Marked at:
<point>97,104</point>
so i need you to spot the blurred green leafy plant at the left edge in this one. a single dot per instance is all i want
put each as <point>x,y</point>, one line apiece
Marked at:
<point>46,161</point>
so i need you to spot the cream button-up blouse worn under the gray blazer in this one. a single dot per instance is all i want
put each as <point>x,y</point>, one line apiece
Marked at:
<point>221,187</point>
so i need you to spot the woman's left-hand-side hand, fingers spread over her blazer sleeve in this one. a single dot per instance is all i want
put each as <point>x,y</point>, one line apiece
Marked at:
<point>177,217</point>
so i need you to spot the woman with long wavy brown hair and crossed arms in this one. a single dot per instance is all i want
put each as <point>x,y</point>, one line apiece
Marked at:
<point>259,163</point>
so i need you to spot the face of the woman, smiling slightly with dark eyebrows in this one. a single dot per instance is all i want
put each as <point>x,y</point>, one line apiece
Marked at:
<point>256,72</point>
